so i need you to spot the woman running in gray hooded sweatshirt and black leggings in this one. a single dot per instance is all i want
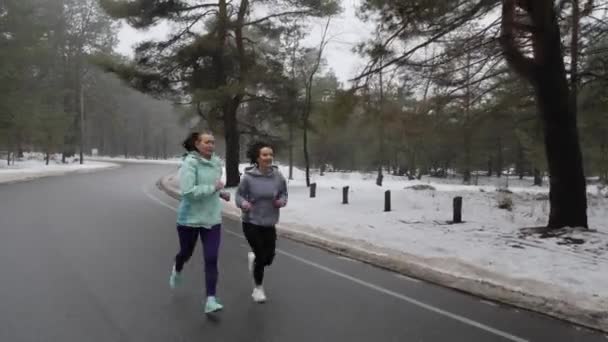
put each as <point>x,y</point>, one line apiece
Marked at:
<point>261,194</point>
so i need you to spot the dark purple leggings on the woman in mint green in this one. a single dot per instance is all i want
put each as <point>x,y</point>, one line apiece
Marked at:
<point>211,245</point>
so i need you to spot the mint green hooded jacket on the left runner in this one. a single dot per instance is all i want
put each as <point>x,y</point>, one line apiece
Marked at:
<point>200,205</point>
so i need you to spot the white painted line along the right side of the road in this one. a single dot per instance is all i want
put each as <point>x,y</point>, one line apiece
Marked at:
<point>377,288</point>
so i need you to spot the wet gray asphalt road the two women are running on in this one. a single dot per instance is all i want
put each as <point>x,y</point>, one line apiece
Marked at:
<point>87,257</point>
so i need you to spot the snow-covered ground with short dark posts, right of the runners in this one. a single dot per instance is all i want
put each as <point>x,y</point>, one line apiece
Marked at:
<point>491,238</point>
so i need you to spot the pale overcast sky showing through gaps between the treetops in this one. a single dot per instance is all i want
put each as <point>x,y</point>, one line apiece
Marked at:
<point>346,31</point>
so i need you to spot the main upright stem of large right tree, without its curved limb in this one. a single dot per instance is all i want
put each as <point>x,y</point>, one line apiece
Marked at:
<point>567,194</point>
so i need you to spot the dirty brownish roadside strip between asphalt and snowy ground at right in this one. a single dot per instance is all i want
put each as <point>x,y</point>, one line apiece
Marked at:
<point>493,286</point>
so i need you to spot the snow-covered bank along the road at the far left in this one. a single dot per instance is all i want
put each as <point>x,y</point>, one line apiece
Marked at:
<point>33,166</point>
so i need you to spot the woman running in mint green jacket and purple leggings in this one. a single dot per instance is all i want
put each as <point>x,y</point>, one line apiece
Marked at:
<point>200,212</point>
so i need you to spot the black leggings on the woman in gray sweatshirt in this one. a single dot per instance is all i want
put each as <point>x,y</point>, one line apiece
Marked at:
<point>262,241</point>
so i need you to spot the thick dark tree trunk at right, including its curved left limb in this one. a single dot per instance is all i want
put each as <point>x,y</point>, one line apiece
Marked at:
<point>547,73</point>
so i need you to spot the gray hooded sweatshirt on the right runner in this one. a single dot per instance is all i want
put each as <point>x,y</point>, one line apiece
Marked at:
<point>262,190</point>
